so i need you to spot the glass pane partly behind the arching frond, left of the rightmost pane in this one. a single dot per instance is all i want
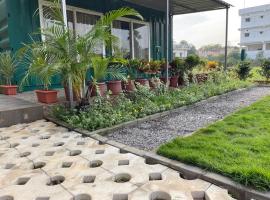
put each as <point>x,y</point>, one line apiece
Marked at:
<point>121,29</point>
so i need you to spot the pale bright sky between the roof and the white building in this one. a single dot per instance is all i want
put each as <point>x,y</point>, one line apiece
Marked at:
<point>209,27</point>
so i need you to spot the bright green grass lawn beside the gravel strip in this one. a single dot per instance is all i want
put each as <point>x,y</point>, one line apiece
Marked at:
<point>237,147</point>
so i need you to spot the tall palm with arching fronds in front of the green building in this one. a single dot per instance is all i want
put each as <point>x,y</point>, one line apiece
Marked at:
<point>74,54</point>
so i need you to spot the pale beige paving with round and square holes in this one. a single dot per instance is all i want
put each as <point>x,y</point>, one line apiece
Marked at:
<point>40,161</point>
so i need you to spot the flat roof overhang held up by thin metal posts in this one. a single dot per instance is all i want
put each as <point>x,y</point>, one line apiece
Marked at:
<point>178,7</point>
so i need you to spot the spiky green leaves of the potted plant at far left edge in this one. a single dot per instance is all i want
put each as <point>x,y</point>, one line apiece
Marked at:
<point>8,66</point>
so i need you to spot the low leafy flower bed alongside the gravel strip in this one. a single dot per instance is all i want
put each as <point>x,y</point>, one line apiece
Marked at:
<point>105,112</point>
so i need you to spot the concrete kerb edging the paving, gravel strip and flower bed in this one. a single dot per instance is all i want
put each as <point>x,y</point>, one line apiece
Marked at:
<point>237,190</point>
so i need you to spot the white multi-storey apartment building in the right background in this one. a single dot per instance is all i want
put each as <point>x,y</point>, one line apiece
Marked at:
<point>255,30</point>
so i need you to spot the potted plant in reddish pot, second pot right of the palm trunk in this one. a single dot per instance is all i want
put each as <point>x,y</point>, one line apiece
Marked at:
<point>115,84</point>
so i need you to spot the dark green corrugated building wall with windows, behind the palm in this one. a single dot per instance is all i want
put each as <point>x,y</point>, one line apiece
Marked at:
<point>138,39</point>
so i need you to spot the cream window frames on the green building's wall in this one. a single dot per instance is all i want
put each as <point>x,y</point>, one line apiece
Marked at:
<point>74,9</point>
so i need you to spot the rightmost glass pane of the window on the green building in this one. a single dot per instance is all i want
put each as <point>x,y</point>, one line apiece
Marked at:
<point>141,41</point>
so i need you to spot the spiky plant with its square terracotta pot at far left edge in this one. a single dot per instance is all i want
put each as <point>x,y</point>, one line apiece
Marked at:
<point>8,66</point>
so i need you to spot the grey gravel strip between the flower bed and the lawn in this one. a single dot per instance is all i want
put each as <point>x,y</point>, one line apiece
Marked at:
<point>149,135</point>
